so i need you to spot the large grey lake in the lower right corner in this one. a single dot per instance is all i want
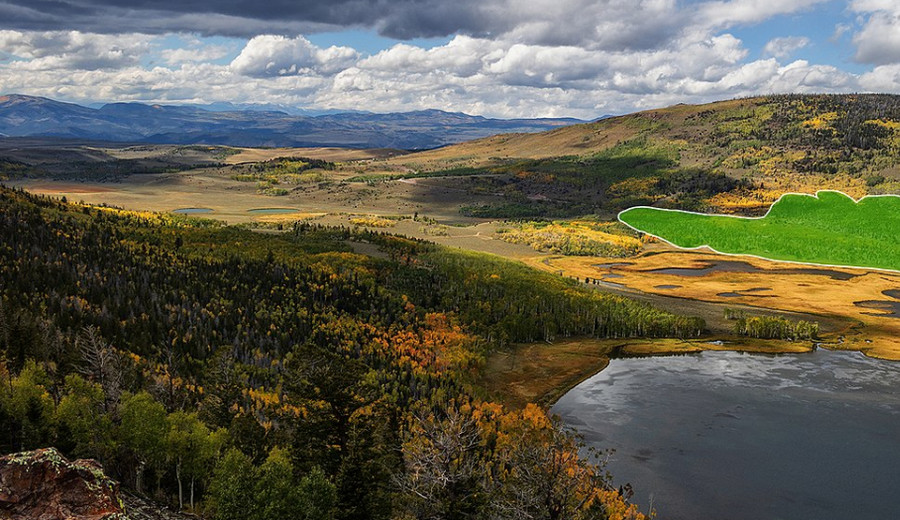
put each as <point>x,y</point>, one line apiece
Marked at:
<point>725,435</point>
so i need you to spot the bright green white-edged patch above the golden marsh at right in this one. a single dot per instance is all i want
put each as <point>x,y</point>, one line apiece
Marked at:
<point>829,228</point>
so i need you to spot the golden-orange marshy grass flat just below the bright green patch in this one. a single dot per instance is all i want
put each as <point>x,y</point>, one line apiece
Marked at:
<point>857,308</point>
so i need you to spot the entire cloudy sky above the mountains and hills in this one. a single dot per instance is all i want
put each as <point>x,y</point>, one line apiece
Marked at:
<point>497,58</point>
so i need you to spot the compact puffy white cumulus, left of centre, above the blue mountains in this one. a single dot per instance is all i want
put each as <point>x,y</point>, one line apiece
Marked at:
<point>270,55</point>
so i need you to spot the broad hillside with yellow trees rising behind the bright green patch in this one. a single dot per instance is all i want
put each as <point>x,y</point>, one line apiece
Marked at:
<point>730,156</point>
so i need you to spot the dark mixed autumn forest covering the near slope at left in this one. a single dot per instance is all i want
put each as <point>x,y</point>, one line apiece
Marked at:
<point>247,375</point>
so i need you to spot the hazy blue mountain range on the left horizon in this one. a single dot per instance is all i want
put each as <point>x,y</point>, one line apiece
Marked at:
<point>248,125</point>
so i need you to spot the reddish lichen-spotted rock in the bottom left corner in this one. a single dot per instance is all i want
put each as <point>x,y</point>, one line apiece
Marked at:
<point>43,485</point>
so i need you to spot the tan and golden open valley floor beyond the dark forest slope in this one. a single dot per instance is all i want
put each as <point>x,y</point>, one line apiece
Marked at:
<point>856,309</point>
